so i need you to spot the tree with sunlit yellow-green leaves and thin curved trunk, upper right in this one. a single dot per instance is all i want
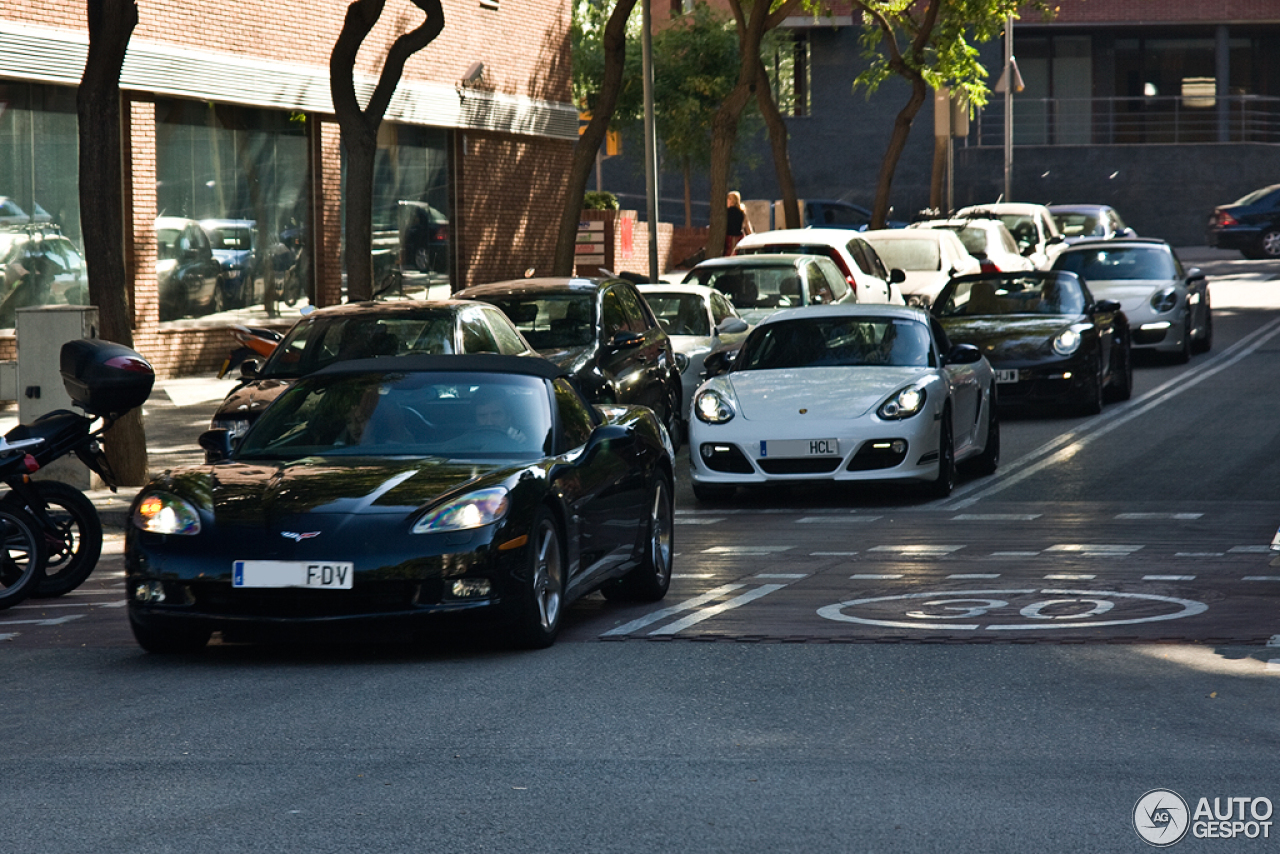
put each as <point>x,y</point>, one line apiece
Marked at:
<point>929,44</point>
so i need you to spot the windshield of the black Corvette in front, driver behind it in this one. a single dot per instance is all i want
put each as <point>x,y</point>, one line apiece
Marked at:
<point>454,415</point>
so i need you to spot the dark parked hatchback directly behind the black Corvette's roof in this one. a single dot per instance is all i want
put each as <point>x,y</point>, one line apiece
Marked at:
<point>602,332</point>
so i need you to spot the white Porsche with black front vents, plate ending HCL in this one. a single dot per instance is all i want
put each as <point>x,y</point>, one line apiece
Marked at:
<point>845,394</point>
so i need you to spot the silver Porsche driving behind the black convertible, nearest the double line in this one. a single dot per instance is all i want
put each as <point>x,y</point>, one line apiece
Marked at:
<point>1168,305</point>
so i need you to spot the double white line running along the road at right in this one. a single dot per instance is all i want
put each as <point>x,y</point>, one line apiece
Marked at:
<point>1078,440</point>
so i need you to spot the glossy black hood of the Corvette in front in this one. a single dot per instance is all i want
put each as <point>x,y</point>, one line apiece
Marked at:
<point>268,495</point>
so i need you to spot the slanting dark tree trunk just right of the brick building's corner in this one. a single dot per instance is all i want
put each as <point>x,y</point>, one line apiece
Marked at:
<point>593,136</point>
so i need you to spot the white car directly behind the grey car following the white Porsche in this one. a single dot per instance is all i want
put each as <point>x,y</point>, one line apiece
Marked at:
<point>858,262</point>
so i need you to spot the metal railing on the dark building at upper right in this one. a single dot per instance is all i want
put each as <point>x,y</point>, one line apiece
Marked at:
<point>1131,121</point>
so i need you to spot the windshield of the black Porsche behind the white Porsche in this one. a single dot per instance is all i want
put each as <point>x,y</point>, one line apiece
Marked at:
<point>1050,294</point>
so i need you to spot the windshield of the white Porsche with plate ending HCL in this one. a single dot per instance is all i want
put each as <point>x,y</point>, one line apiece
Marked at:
<point>830,342</point>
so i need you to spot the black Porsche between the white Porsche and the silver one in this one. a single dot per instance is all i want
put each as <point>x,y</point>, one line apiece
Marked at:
<point>1049,340</point>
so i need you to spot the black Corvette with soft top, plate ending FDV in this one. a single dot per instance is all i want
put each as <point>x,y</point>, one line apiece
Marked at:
<point>391,495</point>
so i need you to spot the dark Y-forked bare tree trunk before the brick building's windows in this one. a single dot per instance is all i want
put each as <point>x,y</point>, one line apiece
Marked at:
<point>359,126</point>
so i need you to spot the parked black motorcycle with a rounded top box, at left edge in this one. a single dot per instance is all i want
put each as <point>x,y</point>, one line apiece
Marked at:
<point>107,381</point>
